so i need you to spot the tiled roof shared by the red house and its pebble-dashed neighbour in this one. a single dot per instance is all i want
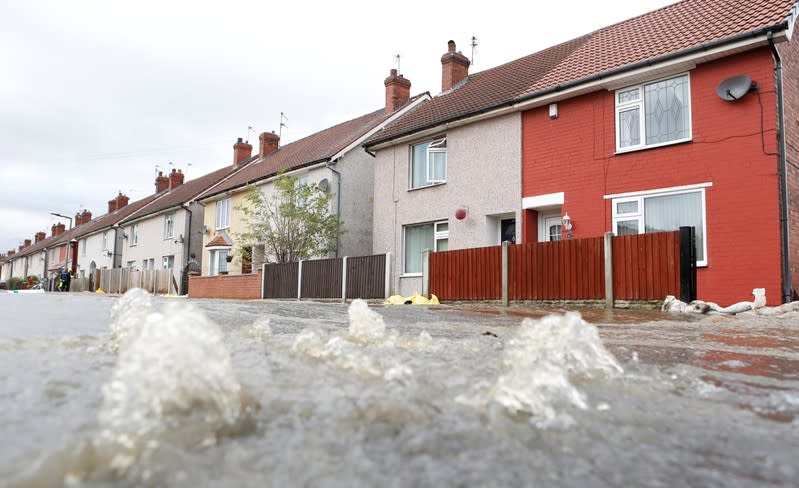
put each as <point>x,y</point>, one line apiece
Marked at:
<point>669,30</point>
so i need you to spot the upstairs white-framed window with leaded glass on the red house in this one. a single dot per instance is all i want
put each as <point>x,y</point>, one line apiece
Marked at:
<point>653,114</point>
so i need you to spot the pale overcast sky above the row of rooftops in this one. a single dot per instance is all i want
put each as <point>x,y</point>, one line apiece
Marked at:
<point>95,94</point>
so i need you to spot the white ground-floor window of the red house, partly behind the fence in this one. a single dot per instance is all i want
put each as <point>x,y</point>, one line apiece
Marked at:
<point>663,211</point>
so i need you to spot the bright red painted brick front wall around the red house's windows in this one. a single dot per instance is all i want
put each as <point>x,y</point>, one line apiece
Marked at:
<point>575,153</point>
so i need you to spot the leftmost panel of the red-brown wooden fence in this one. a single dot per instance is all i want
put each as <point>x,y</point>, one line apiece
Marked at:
<point>466,274</point>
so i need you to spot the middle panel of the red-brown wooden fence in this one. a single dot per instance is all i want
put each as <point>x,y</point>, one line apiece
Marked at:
<point>560,270</point>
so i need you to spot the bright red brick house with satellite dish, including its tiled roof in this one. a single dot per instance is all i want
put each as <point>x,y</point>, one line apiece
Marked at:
<point>628,134</point>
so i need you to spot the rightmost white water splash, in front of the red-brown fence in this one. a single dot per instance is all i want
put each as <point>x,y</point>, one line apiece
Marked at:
<point>540,362</point>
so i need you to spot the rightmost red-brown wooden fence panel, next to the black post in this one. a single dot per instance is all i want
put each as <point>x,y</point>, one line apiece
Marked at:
<point>646,266</point>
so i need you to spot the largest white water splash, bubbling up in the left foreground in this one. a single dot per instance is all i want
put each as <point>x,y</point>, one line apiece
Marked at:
<point>173,387</point>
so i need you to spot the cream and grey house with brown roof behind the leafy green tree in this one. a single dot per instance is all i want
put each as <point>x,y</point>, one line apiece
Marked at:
<point>332,159</point>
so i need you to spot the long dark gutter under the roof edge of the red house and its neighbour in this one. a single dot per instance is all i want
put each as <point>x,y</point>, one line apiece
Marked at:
<point>520,103</point>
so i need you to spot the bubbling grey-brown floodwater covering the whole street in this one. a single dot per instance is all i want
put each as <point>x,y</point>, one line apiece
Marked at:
<point>147,391</point>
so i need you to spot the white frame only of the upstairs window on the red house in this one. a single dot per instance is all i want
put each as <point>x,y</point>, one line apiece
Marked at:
<point>641,105</point>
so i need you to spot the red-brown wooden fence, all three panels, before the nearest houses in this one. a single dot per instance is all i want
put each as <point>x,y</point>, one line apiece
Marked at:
<point>645,267</point>
